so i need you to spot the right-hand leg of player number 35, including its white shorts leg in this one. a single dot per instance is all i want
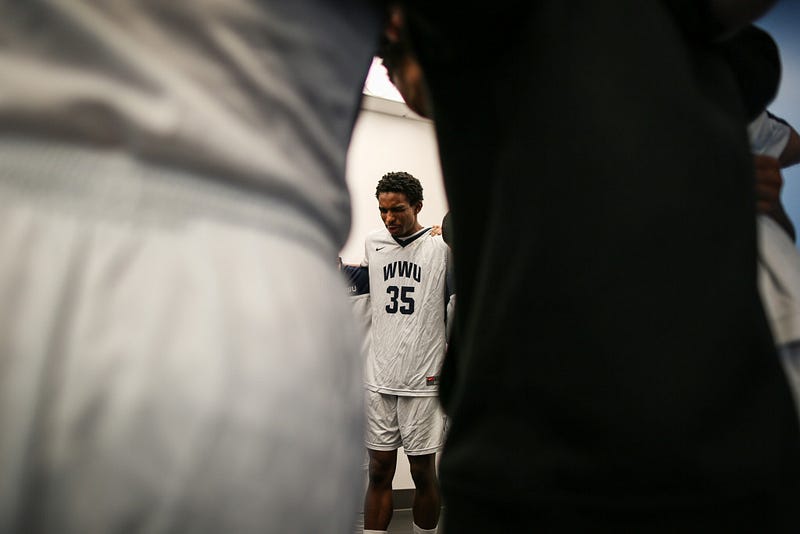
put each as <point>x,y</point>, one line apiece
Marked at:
<point>422,424</point>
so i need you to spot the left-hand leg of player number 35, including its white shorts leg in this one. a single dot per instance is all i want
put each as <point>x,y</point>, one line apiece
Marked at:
<point>382,438</point>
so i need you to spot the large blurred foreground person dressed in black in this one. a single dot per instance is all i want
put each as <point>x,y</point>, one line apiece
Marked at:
<point>611,366</point>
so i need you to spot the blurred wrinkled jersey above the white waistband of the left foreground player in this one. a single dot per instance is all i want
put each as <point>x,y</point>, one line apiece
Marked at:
<point>227,88</point>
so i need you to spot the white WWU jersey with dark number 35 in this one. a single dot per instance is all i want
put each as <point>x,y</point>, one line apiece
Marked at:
<point>408,295</point>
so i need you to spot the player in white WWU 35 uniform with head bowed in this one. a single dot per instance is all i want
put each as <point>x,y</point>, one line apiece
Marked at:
<point>407,278</point>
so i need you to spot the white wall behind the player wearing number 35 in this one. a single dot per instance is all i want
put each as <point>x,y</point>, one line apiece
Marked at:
<point>390,137</point>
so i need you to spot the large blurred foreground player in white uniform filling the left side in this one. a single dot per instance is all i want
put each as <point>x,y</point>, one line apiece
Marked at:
<point>176,353</point>
